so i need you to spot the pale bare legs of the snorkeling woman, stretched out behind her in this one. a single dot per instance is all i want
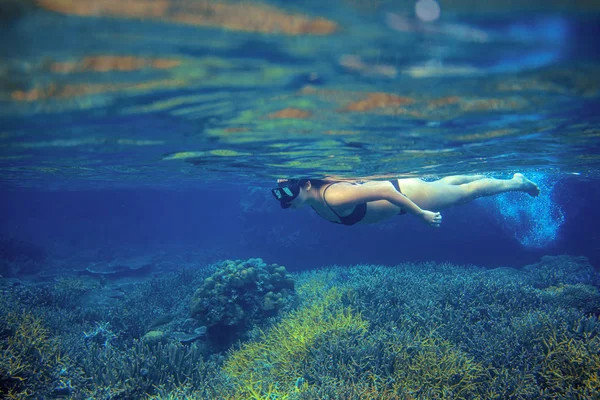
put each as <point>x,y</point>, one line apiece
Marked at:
<point>437,195</point>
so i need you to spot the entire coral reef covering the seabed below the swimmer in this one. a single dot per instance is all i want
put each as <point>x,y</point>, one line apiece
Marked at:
<point>415,331</point>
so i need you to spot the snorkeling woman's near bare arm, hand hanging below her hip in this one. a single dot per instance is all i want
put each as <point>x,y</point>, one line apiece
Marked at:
<point>349,195</point>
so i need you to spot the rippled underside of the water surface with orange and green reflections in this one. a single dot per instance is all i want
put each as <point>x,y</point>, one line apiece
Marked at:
<point>166,88</point>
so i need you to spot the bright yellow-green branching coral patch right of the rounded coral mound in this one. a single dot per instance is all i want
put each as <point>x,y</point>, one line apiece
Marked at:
<point>273,365</point>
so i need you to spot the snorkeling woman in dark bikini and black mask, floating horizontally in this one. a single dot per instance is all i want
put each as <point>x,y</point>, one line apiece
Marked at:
<point>367,202</point>
